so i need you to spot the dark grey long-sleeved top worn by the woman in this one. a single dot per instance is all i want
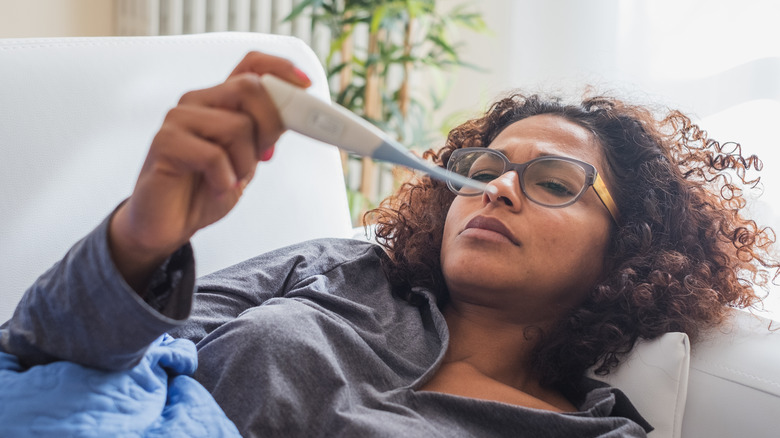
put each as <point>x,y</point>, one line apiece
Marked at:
<point>300,342</point>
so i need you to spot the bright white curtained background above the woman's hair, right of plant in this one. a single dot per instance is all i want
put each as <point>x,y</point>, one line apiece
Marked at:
<point>685,54</point>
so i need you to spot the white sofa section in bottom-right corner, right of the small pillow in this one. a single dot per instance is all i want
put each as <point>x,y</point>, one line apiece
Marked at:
<point>734,381</point>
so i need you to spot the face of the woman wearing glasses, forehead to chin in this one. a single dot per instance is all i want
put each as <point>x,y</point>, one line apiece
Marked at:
<point>504,251</point>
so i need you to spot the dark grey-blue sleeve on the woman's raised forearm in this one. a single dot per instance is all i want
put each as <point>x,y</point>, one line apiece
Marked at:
<point>81,310</point>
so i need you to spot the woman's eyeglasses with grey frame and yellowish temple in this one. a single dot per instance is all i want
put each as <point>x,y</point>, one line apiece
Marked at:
<point>549,181</point>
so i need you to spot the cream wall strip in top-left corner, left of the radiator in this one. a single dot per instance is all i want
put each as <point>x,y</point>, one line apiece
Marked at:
<point>56,18</point>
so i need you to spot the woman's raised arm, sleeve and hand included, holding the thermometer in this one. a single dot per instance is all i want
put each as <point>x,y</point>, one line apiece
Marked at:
<point>90,307</point>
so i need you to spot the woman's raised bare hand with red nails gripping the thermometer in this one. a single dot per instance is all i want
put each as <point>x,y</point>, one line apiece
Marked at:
<point>198,165</point>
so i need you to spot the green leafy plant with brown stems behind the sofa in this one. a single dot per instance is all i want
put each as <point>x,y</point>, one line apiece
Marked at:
<point>435,53</point>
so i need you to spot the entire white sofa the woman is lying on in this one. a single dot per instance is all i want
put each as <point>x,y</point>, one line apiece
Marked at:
<point>77,115</point>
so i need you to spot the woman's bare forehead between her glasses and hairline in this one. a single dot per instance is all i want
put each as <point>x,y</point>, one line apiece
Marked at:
<point>548,134</point>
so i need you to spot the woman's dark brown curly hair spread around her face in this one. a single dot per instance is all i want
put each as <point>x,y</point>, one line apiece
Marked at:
<point>682,254</point>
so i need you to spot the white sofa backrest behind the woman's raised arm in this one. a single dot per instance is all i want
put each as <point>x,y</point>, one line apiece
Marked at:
<point>77,117</point>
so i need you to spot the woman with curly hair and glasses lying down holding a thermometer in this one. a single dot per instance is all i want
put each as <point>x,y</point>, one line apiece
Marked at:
<point>479,317</point>
